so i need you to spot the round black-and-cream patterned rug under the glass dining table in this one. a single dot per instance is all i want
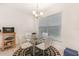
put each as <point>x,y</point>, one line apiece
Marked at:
<point>51,51</point>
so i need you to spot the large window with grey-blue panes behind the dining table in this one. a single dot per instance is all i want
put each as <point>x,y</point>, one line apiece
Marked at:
<point>51,25</point>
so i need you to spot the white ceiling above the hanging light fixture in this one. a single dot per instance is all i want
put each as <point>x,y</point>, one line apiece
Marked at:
<point>27,8</point>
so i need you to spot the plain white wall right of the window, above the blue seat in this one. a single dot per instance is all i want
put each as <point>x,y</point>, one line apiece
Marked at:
<point>70,25</point>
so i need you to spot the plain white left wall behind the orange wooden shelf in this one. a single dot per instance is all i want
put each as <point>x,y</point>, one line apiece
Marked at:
<point>14,17</point>
